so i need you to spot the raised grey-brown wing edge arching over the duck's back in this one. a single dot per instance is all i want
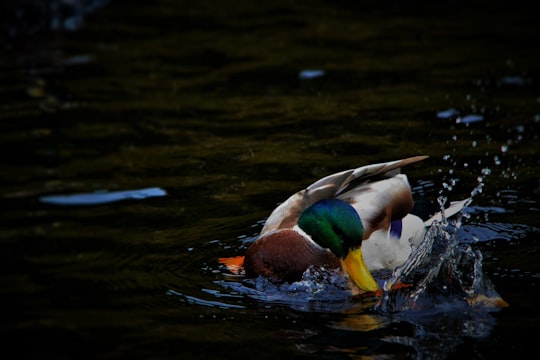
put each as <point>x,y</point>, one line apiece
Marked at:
<point>286,214</point>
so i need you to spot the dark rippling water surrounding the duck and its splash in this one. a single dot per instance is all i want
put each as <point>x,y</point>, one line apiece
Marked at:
<point>207,103</point>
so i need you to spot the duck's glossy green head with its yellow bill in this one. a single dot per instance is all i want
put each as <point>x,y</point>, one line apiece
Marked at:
<point>335,224</point>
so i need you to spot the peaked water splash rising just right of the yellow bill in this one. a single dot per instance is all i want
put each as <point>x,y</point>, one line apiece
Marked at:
<point>440,271</point>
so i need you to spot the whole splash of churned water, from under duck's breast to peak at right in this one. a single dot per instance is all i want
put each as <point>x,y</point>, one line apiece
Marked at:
<point>441,271</point>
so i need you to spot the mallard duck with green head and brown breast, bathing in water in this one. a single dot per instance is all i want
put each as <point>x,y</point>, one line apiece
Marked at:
<point>356,219</point>
